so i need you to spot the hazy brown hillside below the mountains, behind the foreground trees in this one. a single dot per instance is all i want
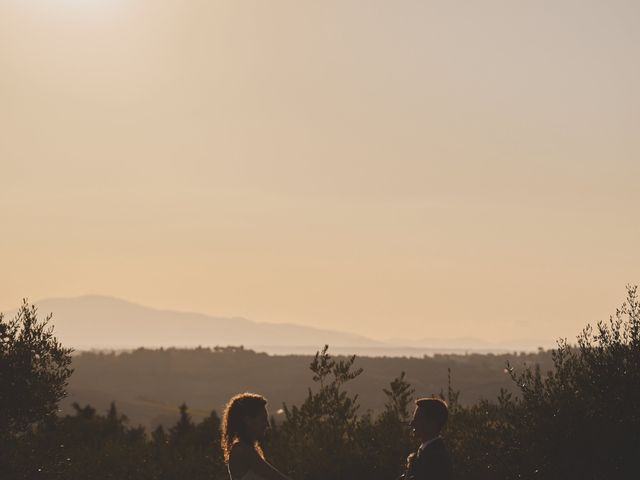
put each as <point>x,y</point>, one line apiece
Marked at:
<point>149,385</point>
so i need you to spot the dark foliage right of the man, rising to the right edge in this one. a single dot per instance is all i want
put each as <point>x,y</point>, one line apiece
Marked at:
<point>578,420</point>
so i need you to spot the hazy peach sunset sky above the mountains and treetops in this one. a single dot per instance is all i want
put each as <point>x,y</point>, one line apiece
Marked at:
<point>391,168</point>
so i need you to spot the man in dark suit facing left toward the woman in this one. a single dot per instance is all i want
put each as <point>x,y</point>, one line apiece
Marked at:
<point>431,461</point>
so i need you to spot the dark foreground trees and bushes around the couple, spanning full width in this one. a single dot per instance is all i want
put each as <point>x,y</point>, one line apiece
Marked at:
<point>578,420</point>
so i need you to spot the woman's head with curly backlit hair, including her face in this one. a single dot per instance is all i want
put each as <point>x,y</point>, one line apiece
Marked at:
<point>244,420</point>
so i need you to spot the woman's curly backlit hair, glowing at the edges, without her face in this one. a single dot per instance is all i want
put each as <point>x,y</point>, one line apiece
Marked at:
<point>232,429</point>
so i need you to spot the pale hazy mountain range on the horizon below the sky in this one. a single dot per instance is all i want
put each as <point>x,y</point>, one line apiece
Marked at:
<point>101,322</point>
